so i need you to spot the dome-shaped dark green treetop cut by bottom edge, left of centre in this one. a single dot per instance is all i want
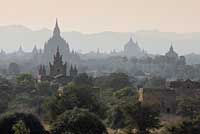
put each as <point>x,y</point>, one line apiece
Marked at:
<point>78,121</point>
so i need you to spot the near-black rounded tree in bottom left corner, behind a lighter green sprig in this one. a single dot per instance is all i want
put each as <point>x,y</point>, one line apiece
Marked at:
<point>8,122</point>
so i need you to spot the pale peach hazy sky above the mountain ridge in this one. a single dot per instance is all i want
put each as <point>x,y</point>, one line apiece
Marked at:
<point>104,15</point>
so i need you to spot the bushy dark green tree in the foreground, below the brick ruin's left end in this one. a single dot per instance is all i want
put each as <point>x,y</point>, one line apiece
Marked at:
<point>133,115</point>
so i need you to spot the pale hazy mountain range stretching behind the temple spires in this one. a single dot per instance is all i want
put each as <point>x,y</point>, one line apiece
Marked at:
<point>11,37</point>
